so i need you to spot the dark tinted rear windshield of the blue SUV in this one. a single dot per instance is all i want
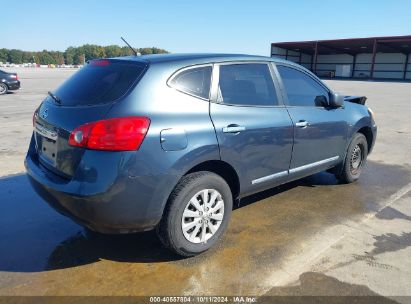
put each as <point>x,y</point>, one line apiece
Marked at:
<point>98,82</point>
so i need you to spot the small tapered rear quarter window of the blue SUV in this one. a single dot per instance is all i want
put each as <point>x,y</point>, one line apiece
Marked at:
<point>194,81</point>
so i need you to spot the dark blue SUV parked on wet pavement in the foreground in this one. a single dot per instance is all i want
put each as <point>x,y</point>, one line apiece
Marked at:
<point>171,141</point>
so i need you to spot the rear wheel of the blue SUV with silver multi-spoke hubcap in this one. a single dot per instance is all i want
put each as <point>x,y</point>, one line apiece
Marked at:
<point>181,231</point>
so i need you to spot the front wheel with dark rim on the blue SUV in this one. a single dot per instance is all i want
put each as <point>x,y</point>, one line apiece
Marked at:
<point>355,159</point>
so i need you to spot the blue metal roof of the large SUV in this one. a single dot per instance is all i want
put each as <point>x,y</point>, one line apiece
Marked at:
<point>199,58</point>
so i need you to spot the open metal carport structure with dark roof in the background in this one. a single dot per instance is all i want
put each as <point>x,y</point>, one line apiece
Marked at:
<point>374,57</point>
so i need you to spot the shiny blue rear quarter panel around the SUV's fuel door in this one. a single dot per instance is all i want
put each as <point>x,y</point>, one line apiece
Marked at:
<point>169,110</point>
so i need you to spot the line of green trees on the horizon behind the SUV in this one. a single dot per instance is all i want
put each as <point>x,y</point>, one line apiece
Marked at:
<point>72,55</point>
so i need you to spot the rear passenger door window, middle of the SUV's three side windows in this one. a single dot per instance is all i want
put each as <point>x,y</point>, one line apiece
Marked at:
<point>246,84</point>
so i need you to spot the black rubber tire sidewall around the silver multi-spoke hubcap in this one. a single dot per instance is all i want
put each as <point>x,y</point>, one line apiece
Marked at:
<point>206,181</point>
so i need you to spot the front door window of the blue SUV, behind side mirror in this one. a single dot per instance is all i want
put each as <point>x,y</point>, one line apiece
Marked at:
<point>302,90</point>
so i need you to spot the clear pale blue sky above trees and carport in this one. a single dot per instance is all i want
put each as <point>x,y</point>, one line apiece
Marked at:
<point>224,26</point>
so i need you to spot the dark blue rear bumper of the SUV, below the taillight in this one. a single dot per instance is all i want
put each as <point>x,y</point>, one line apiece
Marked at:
<point>129,204</point>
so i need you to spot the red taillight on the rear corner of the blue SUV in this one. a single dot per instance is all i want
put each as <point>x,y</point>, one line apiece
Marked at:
<point>114,134</point>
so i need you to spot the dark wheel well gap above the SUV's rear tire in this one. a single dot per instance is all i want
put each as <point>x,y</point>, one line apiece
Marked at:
<point>223,169</point>
